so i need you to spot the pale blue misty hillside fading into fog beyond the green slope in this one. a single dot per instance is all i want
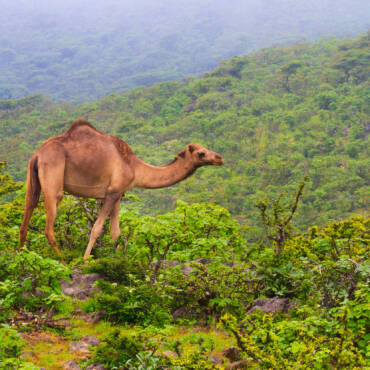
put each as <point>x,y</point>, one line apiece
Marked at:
<point>81,50</point>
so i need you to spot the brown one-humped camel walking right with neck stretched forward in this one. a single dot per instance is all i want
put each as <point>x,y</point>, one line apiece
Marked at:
<point>88,163</point>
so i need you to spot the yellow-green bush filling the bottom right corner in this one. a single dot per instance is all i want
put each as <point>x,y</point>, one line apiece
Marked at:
<point>307,337</point>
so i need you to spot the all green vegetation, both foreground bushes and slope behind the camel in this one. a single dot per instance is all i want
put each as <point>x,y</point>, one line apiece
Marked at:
<point>284,219</point>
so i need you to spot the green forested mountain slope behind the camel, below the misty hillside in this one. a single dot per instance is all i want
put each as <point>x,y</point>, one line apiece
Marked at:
<point>275,116</point>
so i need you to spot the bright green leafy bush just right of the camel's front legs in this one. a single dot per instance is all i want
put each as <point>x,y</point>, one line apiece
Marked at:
<point>189,232</point>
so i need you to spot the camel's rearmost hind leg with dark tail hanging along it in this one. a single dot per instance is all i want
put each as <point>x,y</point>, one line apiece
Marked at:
<point>33,189</point>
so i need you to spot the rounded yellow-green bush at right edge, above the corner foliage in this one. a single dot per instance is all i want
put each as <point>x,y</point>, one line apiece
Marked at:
<point>328,266</point>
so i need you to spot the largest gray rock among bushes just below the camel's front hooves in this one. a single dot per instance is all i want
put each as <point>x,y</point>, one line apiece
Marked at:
<point>80,286</point>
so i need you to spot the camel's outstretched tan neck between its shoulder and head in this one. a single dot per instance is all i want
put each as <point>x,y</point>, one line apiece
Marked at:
<point>152,177</point>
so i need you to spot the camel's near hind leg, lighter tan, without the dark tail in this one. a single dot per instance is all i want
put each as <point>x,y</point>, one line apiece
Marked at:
<point>51,176</point>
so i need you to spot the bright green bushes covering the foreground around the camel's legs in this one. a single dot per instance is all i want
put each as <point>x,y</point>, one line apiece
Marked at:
<point>193,266</point>
